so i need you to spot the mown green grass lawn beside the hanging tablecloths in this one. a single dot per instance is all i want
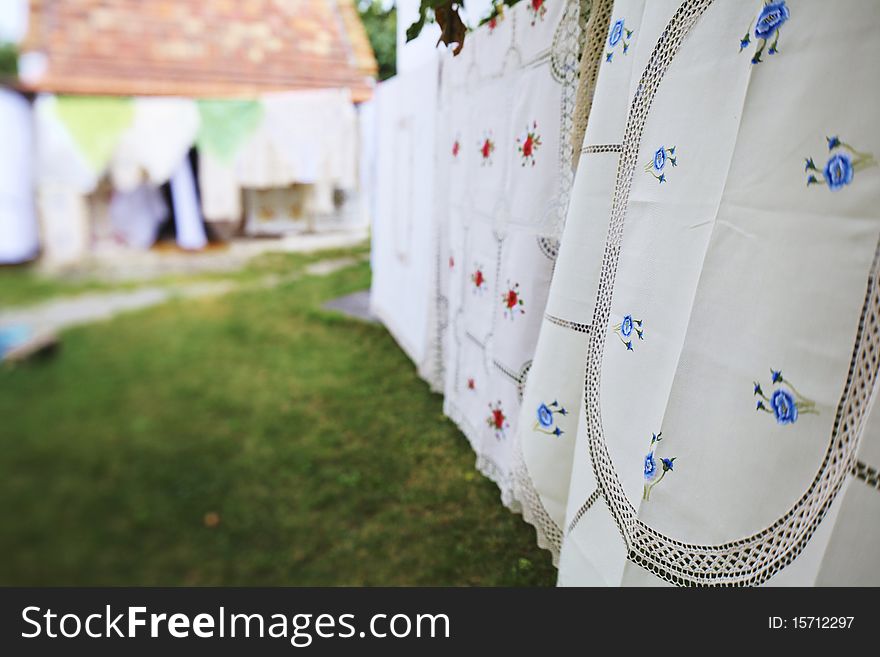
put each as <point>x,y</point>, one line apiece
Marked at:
<point>325,457</point>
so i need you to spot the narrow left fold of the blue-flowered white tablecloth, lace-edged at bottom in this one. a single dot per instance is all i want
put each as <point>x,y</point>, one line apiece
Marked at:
<point>552,397</point>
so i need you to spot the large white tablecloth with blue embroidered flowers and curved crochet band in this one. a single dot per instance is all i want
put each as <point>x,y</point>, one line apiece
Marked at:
<point>717,295</point>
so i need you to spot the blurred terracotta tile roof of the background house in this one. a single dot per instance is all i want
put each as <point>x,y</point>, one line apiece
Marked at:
<point>196,48</point>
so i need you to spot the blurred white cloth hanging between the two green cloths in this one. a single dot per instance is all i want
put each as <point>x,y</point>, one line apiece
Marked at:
<point>162,132</point>
